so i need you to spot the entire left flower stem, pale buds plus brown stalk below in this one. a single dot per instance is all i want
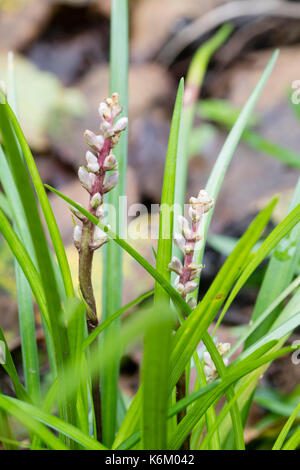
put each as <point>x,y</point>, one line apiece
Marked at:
<point>87,236</point>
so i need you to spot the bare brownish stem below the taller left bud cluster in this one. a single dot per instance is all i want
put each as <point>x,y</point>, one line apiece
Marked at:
<point>85,283</point>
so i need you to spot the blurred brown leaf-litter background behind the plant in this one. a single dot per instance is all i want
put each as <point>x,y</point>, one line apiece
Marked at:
<point>62,73</point>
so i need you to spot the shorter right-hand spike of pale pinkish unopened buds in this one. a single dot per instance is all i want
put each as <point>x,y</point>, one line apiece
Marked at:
<point>187,272</point>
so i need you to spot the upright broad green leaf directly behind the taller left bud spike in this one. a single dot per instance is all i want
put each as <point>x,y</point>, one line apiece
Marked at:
<point>112,259</point>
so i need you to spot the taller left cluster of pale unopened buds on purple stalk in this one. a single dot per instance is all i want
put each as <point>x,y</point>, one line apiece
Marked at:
<point>99,161</point>
